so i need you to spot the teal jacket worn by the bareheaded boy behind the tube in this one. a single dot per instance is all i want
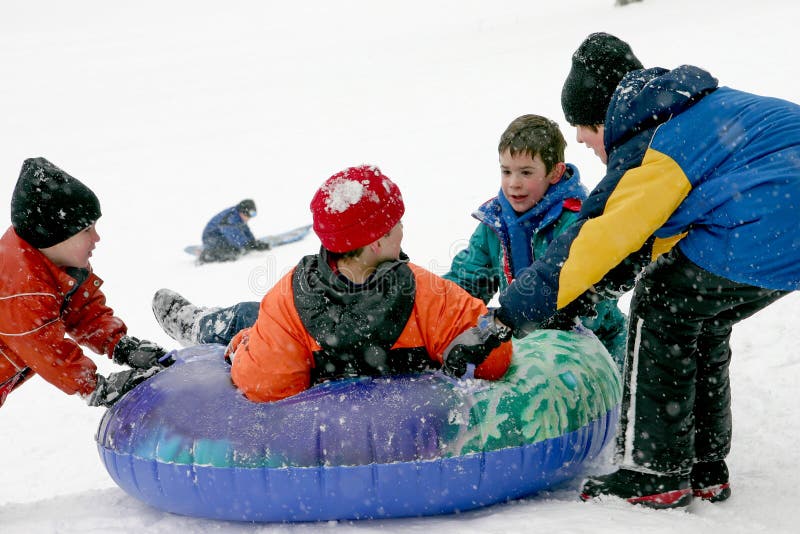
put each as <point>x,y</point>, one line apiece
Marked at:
<point>505,243</point>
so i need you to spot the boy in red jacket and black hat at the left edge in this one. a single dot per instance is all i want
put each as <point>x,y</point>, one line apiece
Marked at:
<point>50,300</point>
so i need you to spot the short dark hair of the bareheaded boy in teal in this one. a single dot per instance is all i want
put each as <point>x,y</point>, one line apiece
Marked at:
<point>534,134</point>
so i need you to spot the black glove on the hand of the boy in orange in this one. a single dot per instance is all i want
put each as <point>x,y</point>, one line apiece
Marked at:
<point>474,345</point>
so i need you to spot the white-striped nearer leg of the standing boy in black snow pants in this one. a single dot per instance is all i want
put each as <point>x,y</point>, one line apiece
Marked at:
<point>655,433</point>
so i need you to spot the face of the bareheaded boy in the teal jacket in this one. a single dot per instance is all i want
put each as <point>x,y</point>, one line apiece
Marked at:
<point>525,180</point>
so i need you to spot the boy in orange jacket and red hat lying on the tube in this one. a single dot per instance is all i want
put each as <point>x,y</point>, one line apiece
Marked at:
<point>357,308</point>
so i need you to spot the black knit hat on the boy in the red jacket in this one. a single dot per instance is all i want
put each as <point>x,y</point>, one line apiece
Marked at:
<point>50,206</point>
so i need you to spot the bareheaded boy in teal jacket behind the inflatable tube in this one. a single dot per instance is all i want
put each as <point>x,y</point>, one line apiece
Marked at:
<point>540,197</point>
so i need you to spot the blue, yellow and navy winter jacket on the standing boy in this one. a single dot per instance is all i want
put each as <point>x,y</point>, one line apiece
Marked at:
<point>713,169</point>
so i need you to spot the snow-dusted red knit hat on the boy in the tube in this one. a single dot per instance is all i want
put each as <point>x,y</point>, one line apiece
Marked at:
<point>355,207</point>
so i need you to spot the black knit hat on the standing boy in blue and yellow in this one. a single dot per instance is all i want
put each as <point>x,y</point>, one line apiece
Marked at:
<point>598,65</point>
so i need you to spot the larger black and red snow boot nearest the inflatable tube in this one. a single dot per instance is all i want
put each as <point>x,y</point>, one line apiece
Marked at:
<point>653,491</point>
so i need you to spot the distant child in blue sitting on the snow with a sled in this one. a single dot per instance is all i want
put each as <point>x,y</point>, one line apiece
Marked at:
<point>227,235</point>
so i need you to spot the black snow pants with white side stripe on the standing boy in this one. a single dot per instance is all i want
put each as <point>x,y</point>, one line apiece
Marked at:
<point>676,405</point>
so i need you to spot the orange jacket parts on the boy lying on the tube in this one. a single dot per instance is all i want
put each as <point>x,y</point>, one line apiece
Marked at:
<point>273,358</point>
